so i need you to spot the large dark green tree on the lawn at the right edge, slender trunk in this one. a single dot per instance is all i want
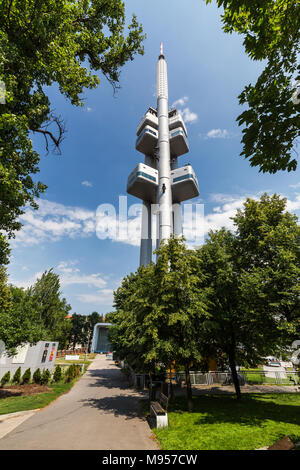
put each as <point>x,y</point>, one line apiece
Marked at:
<point>254,279</point>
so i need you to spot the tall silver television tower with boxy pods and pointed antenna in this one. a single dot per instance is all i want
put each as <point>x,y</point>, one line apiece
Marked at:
<point>162,186</point>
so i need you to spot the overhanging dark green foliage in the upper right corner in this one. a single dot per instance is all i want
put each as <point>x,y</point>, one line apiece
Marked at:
<point>271,32</point>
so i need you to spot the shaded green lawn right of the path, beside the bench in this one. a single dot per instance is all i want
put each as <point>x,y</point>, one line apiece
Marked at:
<point>219,422</point>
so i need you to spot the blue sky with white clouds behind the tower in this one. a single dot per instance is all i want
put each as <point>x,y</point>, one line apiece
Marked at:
<point>207,70</point>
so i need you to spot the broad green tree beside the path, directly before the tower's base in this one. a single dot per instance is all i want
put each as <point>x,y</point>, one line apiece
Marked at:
<point>160,312</point>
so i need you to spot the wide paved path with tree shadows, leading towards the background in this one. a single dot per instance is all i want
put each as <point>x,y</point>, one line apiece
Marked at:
<point>100,412</point>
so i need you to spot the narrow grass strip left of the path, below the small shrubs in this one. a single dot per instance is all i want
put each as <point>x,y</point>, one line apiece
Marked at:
<point>23,403</point>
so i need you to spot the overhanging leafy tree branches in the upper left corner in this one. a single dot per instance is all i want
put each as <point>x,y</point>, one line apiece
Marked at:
<point>46,42</point>
